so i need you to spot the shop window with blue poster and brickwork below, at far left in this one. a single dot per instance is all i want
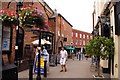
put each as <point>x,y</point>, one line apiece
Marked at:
<point>6,44</point>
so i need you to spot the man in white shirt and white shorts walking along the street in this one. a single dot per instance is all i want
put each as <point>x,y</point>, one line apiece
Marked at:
<point>63,58</point>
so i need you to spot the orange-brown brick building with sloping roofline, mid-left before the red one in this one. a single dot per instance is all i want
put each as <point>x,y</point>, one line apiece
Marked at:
<point>63,32</point>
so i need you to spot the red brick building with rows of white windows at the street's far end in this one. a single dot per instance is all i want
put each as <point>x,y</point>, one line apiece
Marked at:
<point>80,38</point>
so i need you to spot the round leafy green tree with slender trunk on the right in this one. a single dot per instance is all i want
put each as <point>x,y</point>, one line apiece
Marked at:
<point>101,48</point>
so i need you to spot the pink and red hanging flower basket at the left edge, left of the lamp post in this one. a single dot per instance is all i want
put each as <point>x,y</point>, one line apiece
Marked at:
<point>8,18</point>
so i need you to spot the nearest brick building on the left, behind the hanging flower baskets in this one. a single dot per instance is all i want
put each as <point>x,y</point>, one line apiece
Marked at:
<point>25,36</point>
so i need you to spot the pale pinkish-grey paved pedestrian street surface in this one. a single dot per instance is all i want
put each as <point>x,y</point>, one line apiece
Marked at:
<point>75,69</point>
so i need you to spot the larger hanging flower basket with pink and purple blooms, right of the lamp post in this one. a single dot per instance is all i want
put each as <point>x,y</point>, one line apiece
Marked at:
<point>30,16</point>
